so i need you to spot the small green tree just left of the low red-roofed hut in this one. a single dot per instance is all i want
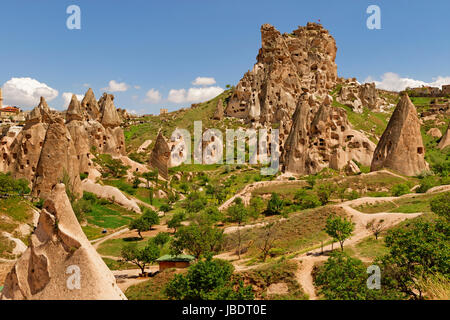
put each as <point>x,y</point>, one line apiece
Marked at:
<point>140,257</point>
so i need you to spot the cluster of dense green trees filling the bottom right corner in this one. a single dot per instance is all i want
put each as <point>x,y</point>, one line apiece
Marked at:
<point>418,251</point>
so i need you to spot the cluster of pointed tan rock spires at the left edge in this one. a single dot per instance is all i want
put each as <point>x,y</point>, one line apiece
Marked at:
<point>49,150</point>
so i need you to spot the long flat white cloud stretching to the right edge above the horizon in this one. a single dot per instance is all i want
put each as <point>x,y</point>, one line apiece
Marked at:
<point>393,82</point>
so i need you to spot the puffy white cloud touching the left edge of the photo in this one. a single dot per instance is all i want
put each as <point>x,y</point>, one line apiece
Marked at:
<point>26,92</point>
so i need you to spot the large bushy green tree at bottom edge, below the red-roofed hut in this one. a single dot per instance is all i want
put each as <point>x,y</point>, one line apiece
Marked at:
<point>209,279</point>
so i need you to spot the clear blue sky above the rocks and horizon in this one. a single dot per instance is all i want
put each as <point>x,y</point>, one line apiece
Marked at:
<point>166,45</point>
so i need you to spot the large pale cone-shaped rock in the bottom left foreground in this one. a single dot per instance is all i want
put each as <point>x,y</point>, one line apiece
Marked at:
<point>58,252</point>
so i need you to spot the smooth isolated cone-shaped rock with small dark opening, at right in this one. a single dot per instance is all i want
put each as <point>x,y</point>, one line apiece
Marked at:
<point>401,147</point>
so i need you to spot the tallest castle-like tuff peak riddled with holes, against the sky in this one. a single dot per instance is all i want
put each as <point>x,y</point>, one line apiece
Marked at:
<point>287,65</point>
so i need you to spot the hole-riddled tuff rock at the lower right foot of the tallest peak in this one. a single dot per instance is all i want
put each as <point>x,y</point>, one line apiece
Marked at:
<point>322,137</point>
